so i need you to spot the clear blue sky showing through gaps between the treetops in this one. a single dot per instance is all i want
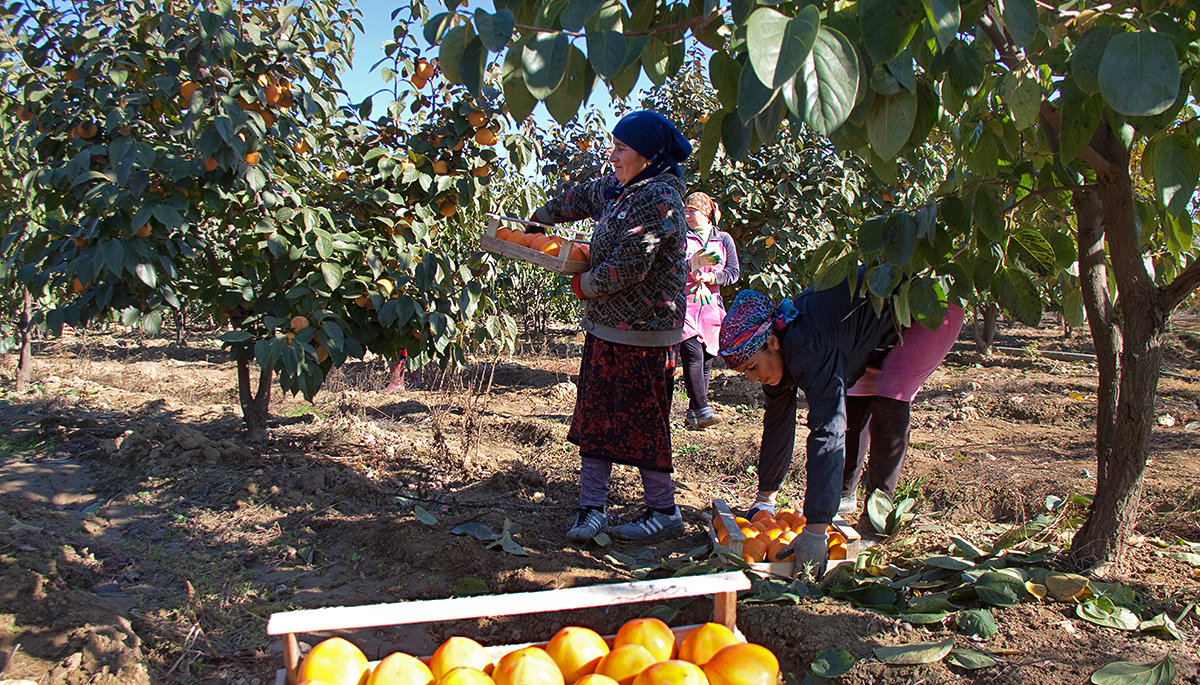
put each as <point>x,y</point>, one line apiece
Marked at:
<point>362,82</point>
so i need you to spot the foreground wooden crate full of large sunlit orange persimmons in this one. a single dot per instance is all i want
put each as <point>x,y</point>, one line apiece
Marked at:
<point>644,652</point>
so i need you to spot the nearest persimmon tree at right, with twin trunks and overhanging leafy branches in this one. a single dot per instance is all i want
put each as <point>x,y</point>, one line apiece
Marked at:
<point>1043,110</point>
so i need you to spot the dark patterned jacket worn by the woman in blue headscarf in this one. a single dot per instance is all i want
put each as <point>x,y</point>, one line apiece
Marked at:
<point>635,289</point>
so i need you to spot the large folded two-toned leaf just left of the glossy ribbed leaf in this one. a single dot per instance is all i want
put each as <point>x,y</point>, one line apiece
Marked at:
<point>779,44</point>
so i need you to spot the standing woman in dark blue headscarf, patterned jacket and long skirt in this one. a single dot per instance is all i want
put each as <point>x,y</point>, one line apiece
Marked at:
<point>634,314</point>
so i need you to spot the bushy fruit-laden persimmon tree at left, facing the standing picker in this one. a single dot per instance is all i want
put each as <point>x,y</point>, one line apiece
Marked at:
<point>201,158</point>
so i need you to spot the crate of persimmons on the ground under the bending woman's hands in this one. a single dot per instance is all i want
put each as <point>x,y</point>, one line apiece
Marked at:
<point>759,542</point>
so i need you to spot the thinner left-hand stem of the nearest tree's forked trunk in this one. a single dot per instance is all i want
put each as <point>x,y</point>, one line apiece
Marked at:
<point>1094,280</point>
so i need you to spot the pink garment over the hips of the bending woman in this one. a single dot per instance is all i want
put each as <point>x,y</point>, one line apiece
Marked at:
<point>907,368</point>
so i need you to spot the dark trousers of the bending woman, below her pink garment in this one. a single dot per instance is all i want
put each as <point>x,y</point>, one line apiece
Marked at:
<point>880,426</point>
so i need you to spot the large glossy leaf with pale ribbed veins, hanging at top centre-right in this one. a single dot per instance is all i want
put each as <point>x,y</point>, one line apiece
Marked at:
<point>824,92</point>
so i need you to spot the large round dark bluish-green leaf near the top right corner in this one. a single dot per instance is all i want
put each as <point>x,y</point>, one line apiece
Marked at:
<point>1139,74</point>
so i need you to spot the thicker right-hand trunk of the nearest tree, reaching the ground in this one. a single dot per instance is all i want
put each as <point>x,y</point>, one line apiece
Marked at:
<point>1121,472</point>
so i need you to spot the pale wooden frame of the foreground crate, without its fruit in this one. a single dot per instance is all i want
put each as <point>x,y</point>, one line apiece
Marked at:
<point>724,588</point>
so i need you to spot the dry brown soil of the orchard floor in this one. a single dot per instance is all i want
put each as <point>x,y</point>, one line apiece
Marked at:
<point>146,542</point>
